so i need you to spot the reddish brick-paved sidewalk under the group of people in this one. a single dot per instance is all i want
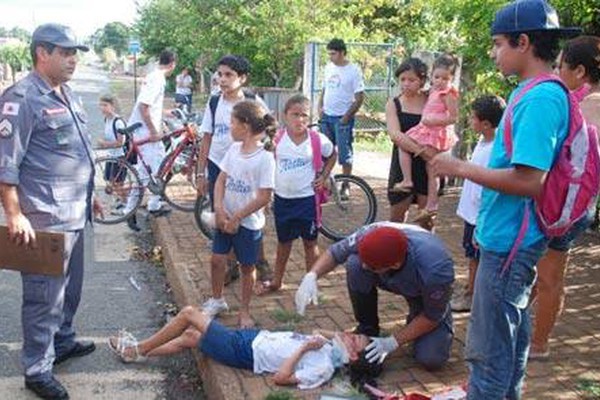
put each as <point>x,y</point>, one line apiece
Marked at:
<point>573,371</point>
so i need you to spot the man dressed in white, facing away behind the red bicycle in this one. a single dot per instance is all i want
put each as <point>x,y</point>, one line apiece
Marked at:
<point>148,111</point>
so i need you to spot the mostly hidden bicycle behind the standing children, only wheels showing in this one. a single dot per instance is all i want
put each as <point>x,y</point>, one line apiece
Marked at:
<point>351,205</point>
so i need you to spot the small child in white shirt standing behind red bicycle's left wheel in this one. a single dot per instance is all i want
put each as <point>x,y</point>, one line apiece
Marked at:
<point>114,142</point>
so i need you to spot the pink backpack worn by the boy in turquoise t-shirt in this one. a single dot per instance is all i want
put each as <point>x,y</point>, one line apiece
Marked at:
<point>572,183</point>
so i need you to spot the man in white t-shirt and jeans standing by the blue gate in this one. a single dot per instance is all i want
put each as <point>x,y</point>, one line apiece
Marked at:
<point>342,96</point>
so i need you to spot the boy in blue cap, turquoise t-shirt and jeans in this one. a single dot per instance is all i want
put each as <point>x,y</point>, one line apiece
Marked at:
<point>525,36</point>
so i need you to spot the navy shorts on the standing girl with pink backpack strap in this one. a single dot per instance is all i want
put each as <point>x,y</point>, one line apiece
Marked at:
<point>295,218</point>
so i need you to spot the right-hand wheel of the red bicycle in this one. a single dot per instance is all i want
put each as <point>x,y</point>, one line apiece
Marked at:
<point>180,180</point>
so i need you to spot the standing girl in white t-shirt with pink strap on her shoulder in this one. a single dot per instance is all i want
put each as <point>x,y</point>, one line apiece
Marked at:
<point>298,175</point>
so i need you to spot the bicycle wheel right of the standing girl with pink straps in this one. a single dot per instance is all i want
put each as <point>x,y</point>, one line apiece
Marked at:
<point>352,204</point>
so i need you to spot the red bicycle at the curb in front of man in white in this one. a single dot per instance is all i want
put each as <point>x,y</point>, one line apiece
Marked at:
<point>116,179</point>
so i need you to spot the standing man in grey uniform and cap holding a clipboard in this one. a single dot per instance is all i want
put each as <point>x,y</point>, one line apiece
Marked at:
<point>46,183</point>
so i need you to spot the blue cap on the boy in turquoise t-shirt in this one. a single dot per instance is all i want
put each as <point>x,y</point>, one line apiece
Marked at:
<point>529,15</point>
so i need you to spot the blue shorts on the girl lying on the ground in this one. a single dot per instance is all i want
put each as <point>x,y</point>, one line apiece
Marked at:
<point>232,347</point>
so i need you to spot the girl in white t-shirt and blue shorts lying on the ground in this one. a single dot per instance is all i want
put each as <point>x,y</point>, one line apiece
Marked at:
<point>306,361</point>
